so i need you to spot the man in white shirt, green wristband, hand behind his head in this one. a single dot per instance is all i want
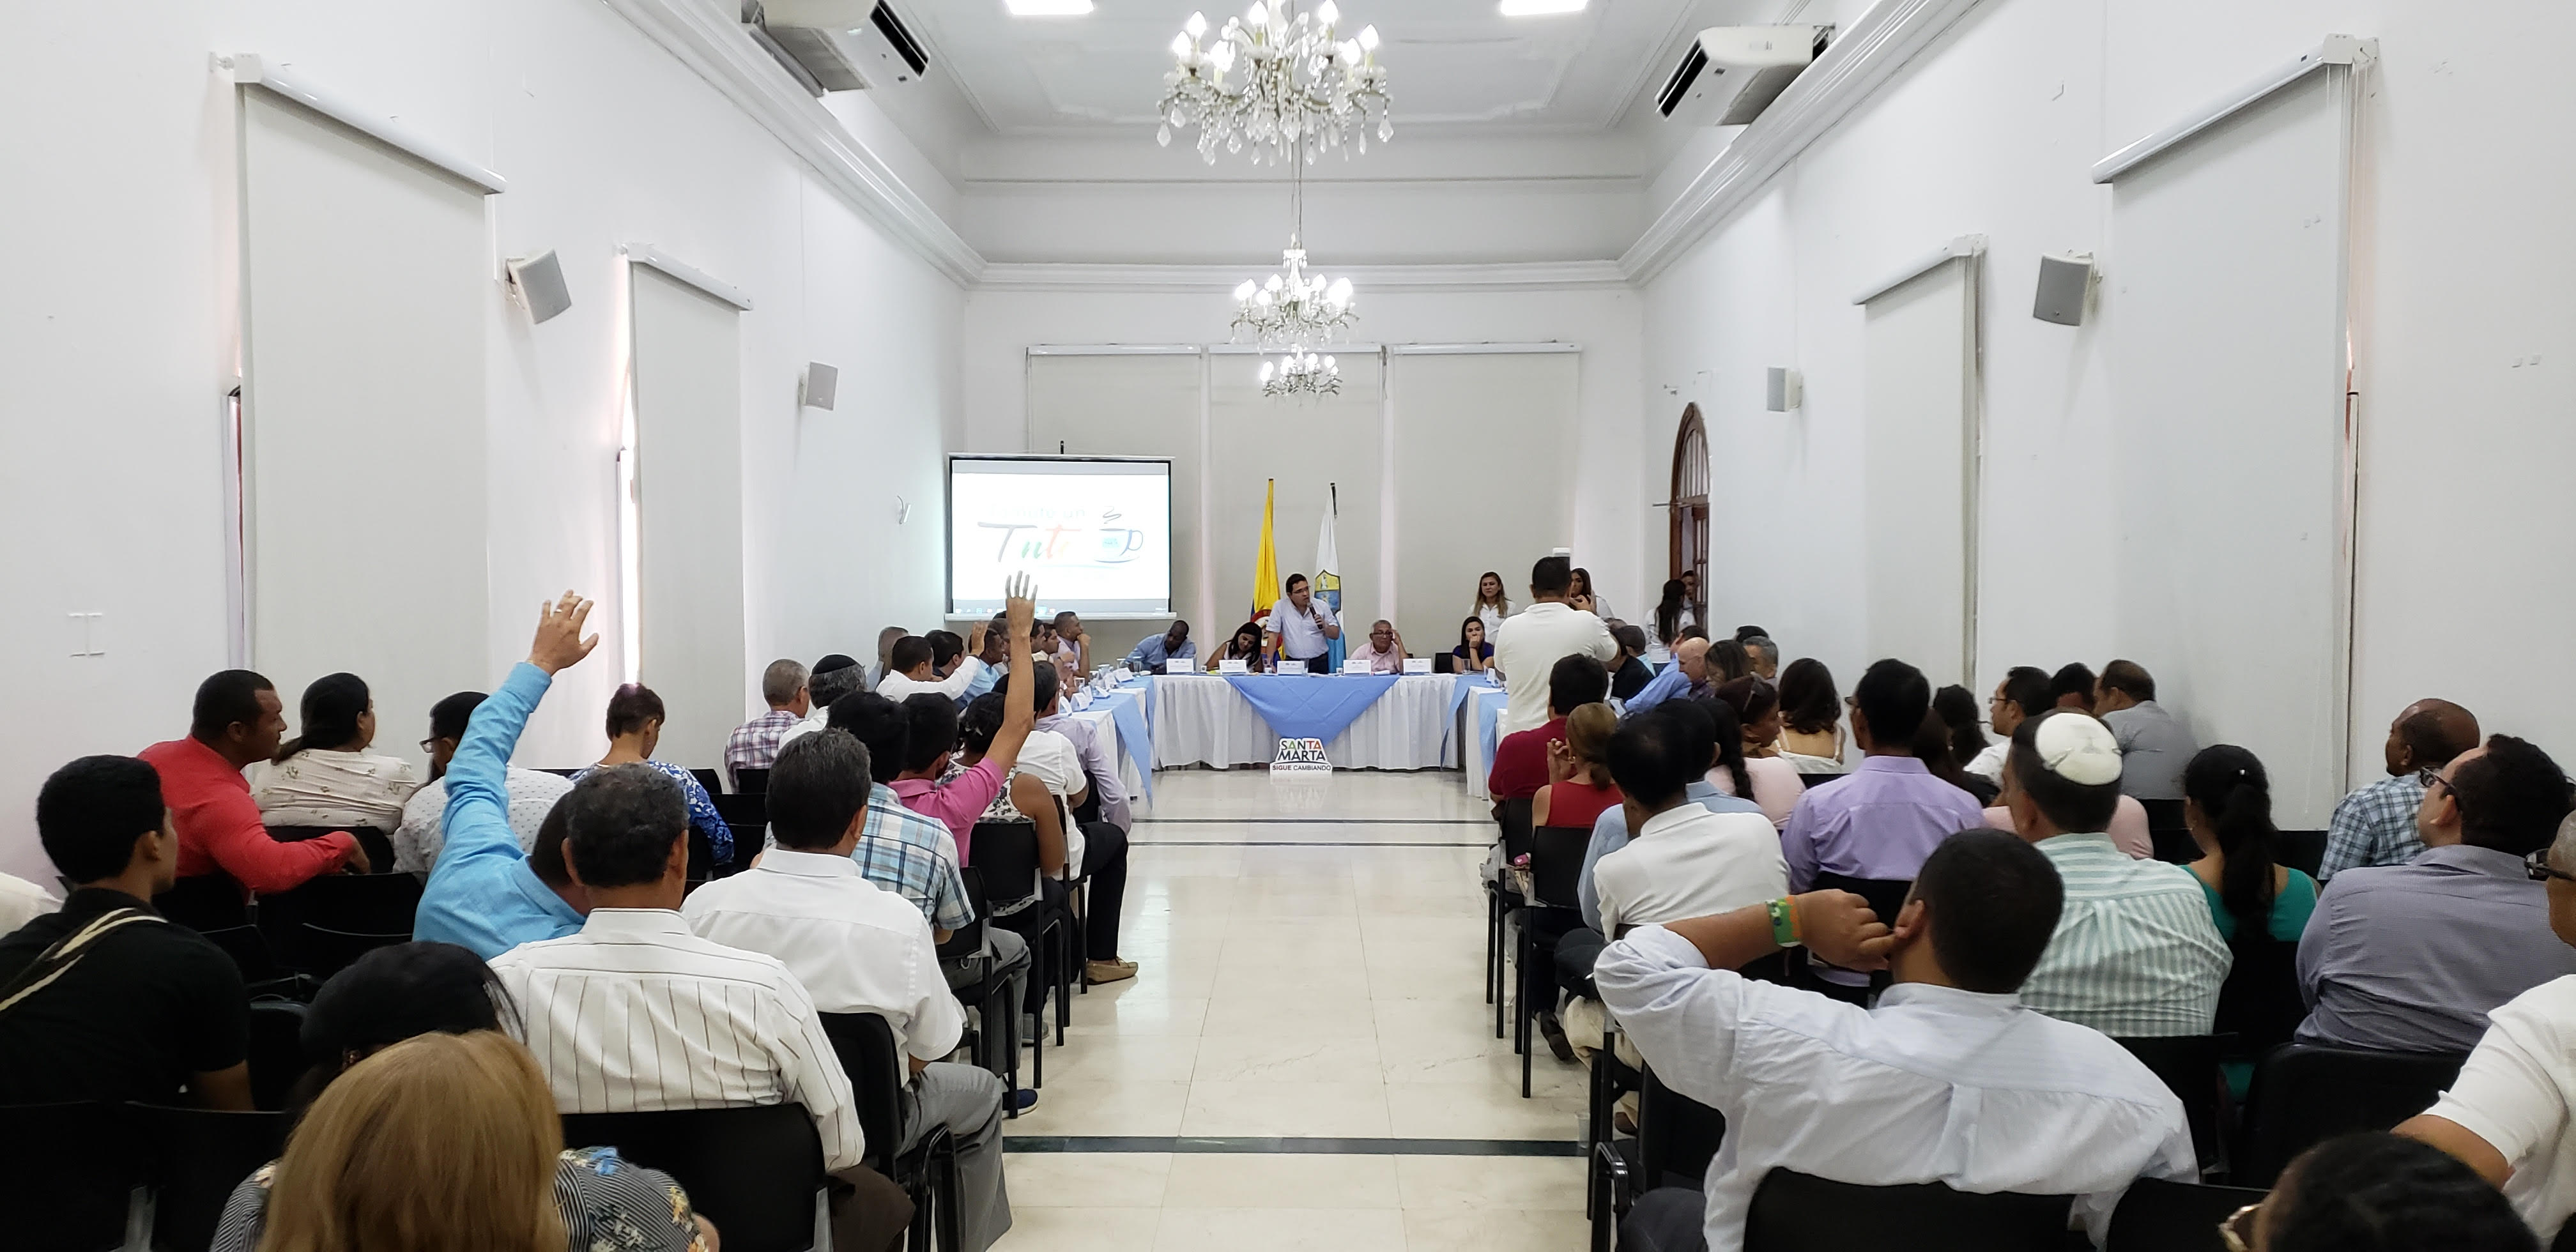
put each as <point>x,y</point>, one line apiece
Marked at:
<point>1949,1081</point>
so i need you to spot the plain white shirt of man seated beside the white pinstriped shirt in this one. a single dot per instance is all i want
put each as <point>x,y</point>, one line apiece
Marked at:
<point>849,942</point>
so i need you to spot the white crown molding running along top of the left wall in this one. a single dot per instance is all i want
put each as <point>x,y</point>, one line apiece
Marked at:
<point>746,76</point>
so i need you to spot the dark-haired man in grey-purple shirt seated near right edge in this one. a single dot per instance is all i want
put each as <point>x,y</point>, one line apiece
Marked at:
<point>2415,957</point>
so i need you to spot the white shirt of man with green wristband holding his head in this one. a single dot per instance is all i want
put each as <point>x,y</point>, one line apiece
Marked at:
<point>1933,1086</point>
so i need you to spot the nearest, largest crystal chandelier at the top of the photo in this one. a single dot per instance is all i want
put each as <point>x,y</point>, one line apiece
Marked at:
<point>1297,84</point>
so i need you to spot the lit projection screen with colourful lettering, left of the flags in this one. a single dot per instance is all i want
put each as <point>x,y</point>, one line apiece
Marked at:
<point>1094,532</point>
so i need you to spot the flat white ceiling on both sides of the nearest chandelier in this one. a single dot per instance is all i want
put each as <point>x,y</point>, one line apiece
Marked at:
<point>1452,63</point>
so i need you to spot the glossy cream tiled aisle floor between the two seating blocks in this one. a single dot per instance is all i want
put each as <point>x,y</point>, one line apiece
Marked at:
<point>1312,970</point>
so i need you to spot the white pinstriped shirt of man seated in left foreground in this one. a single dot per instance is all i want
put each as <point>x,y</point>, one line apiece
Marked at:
<point>640,1016</point>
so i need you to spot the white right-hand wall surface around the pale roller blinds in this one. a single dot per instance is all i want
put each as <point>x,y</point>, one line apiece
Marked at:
<point>2459,272</point>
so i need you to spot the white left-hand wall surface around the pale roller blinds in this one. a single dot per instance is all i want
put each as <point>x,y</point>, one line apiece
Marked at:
<point>122,334</point>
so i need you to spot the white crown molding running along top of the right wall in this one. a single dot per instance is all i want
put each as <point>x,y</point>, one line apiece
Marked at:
<point>1866,58</point>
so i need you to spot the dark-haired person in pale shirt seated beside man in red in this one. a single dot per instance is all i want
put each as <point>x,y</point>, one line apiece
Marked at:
<point>328,777</point>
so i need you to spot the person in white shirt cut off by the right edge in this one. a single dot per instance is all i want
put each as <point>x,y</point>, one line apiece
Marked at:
<point>2513,1109</point>
